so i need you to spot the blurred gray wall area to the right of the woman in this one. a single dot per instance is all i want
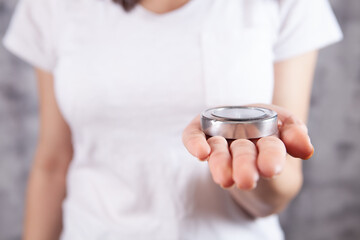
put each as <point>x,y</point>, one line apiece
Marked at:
<point>329,205</point>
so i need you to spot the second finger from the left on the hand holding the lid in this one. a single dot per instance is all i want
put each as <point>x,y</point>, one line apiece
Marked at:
<point>220,162</point>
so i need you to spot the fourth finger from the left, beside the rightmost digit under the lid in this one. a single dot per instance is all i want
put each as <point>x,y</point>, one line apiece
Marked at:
<point>271,156</point>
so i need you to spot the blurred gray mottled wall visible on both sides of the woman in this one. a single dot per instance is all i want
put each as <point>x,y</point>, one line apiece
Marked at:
<point>328,207</point>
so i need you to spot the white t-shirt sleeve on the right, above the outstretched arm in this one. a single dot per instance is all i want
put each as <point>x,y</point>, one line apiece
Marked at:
<point>305,25</point>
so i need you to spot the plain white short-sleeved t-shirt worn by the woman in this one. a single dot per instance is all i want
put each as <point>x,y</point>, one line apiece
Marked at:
<point>129,83</point>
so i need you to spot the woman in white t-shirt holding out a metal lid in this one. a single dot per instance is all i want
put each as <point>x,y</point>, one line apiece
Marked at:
<point>117,86</point>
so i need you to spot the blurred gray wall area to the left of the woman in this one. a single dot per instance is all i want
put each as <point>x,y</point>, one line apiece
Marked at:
<point>18,131</point>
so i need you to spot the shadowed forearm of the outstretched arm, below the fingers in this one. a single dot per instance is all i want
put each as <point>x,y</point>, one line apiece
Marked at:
<point>272,195</point>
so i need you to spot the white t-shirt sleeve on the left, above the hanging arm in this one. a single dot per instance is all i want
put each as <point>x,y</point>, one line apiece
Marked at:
<point>30,33</point>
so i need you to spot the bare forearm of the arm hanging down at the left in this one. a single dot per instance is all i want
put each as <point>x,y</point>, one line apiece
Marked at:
<point>45,193</point>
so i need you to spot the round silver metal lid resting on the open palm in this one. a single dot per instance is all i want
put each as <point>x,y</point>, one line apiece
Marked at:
<point>235,122</point>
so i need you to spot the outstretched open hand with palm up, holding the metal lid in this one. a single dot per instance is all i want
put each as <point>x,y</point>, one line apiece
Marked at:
<point>242,162</point>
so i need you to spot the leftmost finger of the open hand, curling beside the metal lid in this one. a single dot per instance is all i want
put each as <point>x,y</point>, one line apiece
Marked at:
<point>195,140</point>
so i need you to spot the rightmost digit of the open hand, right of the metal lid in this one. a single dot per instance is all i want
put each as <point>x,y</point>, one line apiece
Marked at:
<point>294,134</point>
